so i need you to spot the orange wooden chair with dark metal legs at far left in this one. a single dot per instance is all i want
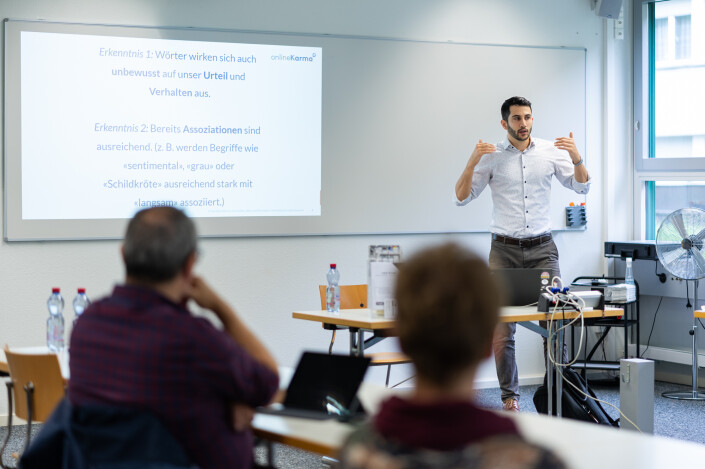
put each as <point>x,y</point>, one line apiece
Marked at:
<point>37,386</point>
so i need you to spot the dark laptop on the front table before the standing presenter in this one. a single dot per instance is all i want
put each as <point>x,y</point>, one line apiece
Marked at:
<point>522,287</point>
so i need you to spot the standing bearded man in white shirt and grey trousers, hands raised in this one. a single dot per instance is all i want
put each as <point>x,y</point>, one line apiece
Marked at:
<point>519,172</point>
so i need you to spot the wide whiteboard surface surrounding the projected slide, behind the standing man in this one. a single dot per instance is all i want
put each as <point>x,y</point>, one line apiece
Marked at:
<point>399,121</point>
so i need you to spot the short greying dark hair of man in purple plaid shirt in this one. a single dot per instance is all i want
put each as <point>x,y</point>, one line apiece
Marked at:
<point>157,244</point>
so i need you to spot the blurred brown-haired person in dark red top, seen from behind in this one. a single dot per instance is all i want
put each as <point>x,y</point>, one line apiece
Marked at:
<point>448,309</point>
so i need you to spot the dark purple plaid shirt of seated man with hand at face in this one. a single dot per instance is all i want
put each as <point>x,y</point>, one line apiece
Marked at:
<point>138,349</point>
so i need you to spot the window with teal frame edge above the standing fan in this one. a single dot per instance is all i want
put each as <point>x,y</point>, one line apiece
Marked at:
<point>669,140</point>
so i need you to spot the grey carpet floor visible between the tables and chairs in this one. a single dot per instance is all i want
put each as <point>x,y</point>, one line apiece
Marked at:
<point>672,418</point>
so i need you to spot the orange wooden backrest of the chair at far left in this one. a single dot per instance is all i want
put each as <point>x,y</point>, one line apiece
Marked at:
<point>44,372</point>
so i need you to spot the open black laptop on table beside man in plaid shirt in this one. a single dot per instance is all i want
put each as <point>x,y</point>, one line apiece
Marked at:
<point>323,386</point>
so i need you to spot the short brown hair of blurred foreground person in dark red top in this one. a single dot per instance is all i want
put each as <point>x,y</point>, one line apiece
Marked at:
<point>448,307</point>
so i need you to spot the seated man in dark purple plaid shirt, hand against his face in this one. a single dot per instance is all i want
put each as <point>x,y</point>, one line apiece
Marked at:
<point>141,347</point>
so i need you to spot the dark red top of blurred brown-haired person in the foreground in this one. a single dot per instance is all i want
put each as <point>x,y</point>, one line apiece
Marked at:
<point>441,435</point>
